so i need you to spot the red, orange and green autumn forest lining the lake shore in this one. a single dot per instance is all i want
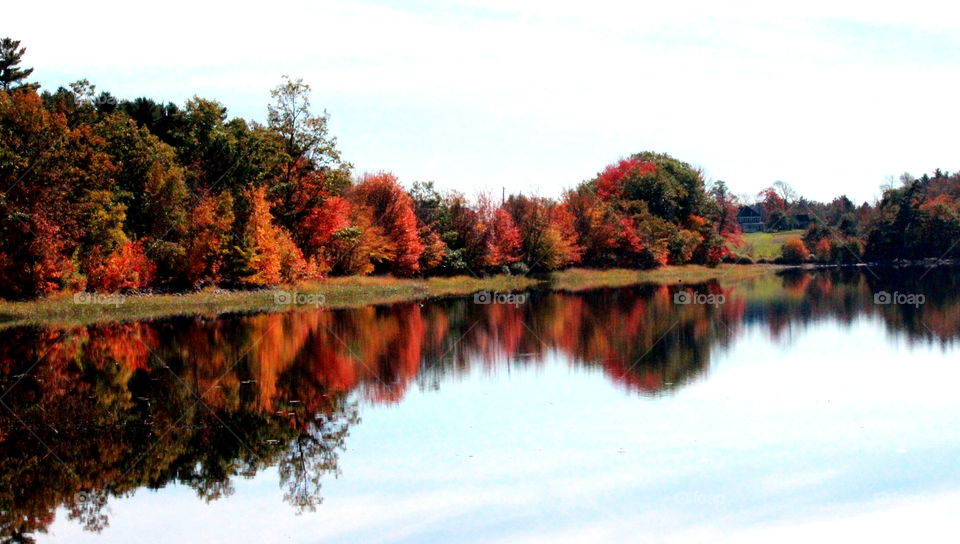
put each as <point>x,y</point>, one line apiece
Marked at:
<point>114,195</point>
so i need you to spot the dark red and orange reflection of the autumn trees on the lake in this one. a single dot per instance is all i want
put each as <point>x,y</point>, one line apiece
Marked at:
<point>98,412</point>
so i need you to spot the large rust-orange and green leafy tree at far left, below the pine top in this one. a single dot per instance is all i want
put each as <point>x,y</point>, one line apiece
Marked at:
<point>57,179</point>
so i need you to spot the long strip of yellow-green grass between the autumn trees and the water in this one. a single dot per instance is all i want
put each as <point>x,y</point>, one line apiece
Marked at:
<point>84,308</point>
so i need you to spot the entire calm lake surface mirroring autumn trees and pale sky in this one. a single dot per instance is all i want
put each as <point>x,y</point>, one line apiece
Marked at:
<point>797,409</point>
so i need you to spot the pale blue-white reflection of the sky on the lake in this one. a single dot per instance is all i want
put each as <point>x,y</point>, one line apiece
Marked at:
<point>838,433</point>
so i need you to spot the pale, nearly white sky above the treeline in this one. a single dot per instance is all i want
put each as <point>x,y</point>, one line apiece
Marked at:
<point>831,97</point>
